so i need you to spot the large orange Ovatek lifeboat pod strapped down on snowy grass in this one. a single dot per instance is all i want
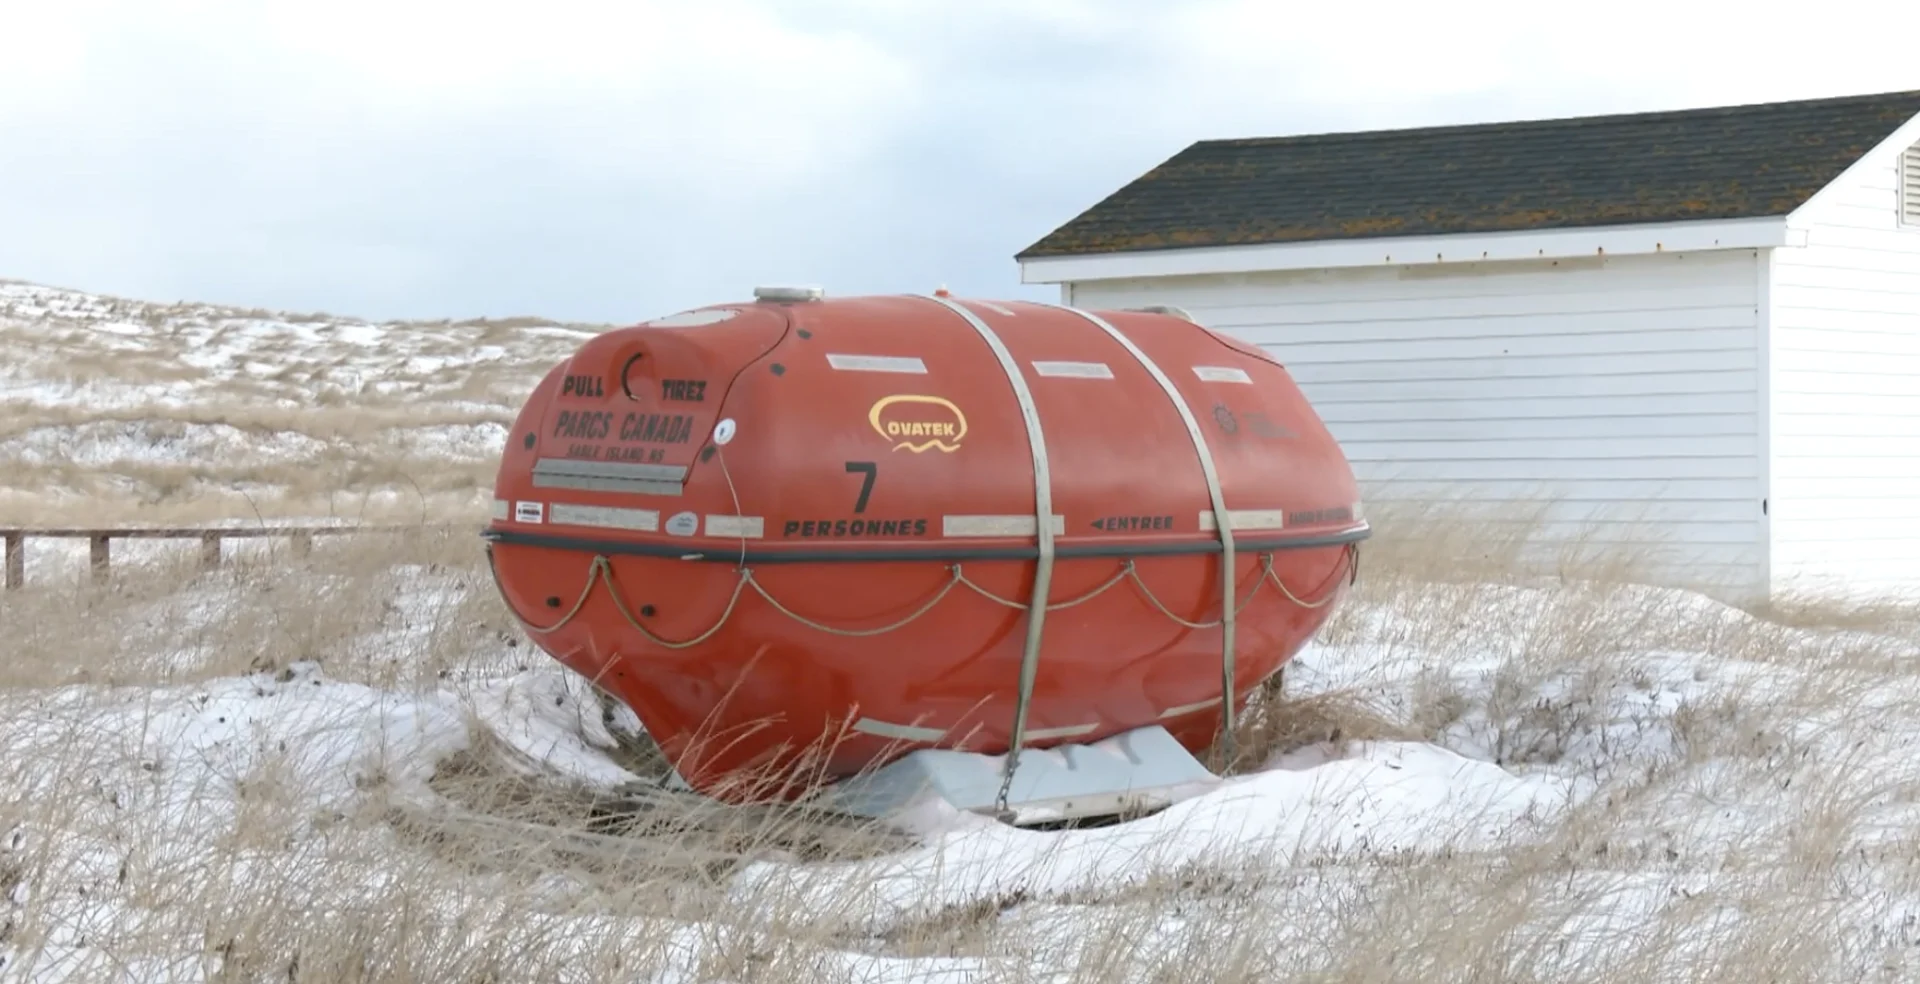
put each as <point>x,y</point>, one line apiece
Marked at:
<point>804,539</point>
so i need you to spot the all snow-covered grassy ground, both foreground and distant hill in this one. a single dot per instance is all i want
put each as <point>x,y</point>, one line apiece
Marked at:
<point>327,770</point>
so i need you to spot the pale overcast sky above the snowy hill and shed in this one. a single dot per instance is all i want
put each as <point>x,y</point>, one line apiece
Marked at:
<point>613,162</point>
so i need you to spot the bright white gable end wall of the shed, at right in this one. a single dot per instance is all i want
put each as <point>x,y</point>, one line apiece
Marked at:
<point>1846,387</point>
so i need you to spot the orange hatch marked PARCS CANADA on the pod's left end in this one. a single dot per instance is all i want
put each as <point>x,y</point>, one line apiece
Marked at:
<point>635,406</point>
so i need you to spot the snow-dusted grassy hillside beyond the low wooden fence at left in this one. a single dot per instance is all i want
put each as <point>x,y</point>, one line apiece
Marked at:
<point>195,410</point>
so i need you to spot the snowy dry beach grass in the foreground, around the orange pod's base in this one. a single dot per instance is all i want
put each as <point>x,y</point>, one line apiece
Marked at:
<point>1735,800</point>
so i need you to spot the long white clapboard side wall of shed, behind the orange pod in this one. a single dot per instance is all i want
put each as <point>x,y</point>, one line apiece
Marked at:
<point>1623,387</point>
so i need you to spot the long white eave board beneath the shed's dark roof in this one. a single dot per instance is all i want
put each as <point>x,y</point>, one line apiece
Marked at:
<point>1694,235</point>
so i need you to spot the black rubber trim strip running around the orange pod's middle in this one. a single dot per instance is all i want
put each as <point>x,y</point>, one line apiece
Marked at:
<point>909,554</point>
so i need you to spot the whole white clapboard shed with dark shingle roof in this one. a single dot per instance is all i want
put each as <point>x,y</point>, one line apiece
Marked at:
<point>1702,328</point>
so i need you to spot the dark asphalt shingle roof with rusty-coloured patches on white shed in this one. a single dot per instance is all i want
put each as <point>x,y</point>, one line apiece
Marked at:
<point>1550,174</point>
